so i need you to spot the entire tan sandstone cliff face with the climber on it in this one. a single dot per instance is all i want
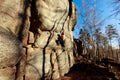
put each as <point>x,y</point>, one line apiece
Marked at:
<point>37,24</point>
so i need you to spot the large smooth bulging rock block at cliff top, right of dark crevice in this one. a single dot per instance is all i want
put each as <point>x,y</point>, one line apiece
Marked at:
<point>52,14</point>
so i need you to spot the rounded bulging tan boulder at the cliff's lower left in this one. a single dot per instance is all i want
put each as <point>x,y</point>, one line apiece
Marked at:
<point>10,54</point>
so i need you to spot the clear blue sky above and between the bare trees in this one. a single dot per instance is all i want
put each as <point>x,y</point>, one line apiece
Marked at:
<point>105,8</point>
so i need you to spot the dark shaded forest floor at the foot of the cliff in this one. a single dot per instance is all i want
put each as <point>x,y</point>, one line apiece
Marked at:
<point>85,69</point>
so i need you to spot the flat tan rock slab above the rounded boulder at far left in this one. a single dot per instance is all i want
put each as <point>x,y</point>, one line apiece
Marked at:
<point>10,11</point>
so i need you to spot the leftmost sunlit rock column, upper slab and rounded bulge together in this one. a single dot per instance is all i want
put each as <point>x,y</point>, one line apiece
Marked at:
<point>10,46</point>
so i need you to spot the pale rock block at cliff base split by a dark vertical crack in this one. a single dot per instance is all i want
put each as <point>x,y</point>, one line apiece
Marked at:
<point>38,64</point>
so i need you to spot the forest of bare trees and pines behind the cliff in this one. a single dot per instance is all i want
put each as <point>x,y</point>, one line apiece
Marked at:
<point>97,44</point>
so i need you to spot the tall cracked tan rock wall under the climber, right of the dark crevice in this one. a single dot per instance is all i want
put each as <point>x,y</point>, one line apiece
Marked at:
<point>48,60</point>
